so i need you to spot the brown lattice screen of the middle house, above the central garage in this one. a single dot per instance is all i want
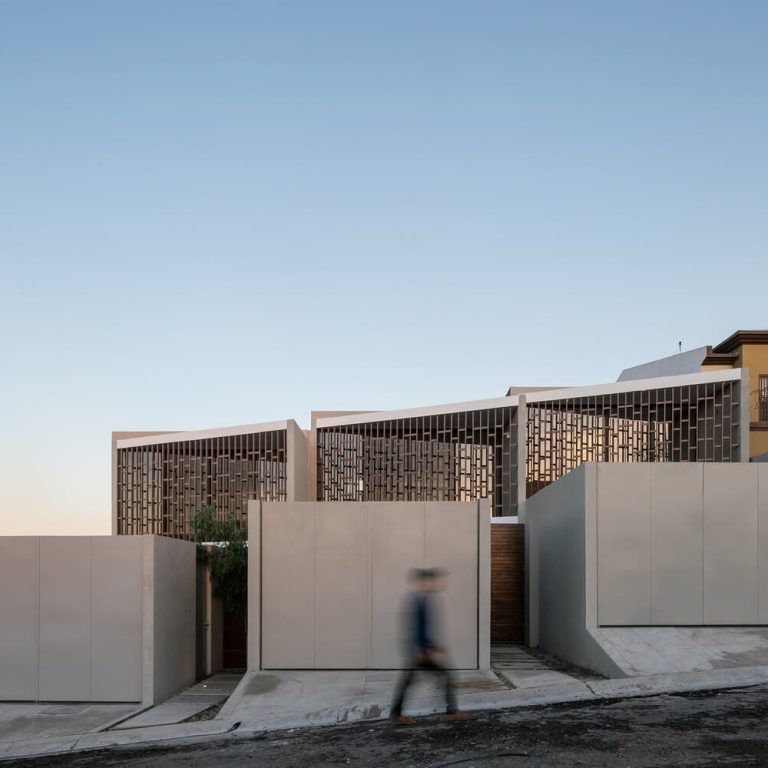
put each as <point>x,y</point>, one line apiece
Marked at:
<point>445,457</point>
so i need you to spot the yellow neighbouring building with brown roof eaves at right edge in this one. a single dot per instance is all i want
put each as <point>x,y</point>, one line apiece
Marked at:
<point>747,349</point>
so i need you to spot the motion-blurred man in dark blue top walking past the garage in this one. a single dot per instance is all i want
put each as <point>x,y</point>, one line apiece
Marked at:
<point>422,652</point>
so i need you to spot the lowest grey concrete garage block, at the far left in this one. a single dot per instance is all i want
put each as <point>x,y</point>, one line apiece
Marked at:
<point>95,618</point>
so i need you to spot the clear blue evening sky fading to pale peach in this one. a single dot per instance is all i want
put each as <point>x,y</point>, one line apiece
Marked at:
<point>219,213</point>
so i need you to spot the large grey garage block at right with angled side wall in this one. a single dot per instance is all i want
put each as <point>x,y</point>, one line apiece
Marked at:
<point>646,545</point>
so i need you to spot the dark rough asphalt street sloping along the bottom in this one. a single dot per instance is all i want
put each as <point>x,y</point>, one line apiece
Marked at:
<point>711,729</point>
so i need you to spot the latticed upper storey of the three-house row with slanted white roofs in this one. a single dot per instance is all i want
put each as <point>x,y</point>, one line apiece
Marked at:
<point>504,450</point>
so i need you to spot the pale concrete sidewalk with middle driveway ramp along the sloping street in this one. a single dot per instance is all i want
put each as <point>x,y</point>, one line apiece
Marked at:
<point>267,701</point>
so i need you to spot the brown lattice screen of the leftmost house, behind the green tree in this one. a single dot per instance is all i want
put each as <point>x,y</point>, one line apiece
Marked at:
<point>159,487</point>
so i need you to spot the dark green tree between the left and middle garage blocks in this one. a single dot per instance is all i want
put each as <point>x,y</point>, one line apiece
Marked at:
<point>222,545</point>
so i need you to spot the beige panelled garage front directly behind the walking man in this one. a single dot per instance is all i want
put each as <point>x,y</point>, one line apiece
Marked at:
<point>327,581</point>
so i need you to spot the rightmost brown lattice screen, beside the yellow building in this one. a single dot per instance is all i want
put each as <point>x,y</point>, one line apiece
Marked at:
<point>697,422</point>
